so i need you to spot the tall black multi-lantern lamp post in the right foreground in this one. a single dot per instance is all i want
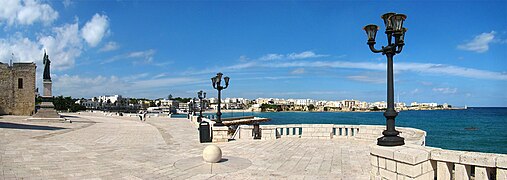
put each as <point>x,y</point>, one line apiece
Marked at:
<point>394,28</point>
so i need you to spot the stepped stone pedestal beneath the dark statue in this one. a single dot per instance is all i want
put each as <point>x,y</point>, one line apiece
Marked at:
<point>47,110</point>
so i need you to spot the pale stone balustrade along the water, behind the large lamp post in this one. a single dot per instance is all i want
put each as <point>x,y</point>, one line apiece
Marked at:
<point>328,131</point>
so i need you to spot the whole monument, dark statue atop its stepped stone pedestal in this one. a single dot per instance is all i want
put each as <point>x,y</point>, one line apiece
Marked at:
<point>47,110</point>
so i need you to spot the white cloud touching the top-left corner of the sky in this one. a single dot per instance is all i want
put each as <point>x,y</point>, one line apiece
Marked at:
<point>26,12</point>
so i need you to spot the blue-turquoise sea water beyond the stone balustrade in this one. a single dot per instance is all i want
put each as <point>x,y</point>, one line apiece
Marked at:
<point>445,128</point>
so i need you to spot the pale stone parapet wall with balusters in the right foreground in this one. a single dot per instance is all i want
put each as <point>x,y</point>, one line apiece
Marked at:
<point>422,162</point>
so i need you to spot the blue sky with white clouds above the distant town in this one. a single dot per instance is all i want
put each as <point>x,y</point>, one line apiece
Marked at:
<point>456,52</point>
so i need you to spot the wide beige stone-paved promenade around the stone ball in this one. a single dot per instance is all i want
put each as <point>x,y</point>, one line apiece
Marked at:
<point>109,147</point>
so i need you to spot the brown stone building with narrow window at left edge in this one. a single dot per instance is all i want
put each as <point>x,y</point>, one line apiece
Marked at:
<point>17,89</point>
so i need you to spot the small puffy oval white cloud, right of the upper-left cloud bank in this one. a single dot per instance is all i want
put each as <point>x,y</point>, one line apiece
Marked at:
<point>95,29</point>
